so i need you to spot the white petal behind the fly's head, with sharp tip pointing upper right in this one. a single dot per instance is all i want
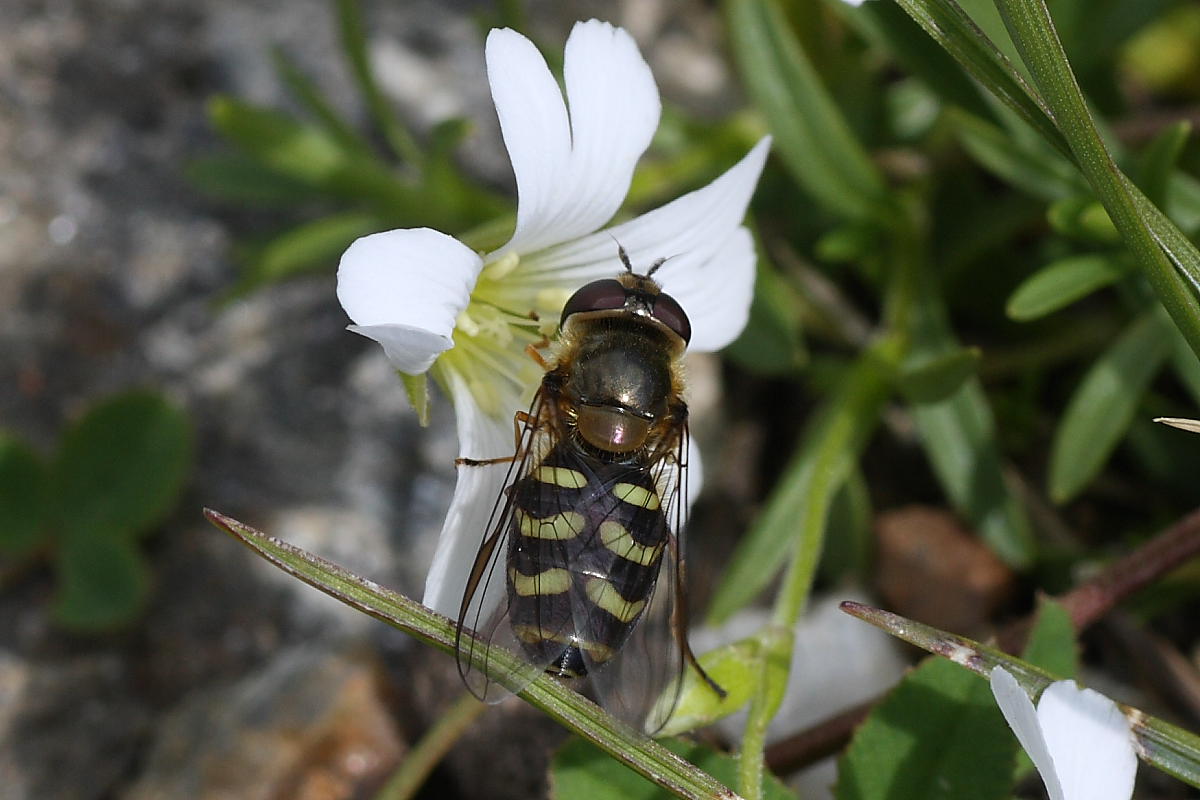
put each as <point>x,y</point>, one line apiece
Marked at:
<point>711,256</point>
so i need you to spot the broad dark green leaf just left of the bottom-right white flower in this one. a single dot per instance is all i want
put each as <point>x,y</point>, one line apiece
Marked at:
<point>938,735</point>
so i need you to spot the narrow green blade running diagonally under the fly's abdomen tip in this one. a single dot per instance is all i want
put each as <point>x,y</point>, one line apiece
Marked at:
<point>571,709</point>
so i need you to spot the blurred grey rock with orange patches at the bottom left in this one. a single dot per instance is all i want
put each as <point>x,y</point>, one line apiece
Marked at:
<point>314,726</point>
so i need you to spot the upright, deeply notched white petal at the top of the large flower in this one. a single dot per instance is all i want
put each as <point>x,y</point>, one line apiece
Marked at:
<point>572,172</point>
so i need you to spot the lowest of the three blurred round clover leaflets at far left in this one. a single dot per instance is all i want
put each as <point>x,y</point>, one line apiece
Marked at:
<point>103,581</point>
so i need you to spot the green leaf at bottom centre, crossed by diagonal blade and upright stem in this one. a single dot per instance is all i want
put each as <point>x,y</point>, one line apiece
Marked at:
<point>581,771</point>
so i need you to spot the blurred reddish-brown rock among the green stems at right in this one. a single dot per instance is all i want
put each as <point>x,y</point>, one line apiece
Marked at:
<point>933,570</point>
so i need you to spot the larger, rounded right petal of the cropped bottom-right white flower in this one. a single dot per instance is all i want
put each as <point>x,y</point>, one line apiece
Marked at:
<point>1090,741</point>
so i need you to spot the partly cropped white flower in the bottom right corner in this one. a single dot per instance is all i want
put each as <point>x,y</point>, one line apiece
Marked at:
<point>1079,741</point>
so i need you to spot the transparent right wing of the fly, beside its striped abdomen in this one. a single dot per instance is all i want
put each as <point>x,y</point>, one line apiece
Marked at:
<point>632,685</point>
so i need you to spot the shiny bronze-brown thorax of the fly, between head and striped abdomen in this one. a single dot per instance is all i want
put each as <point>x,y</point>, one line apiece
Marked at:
<point>620,384</point>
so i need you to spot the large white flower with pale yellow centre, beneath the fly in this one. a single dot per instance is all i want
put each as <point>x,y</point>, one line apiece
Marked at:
<point>436,305</point>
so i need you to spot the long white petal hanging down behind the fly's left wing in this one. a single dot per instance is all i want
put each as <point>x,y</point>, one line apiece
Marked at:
<point>481,436</point>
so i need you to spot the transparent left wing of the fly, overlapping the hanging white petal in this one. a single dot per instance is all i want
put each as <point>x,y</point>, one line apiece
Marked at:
<point>490,657</point>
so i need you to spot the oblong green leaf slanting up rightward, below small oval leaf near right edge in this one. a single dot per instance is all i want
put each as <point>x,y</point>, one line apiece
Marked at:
<point>1103,406</point>
